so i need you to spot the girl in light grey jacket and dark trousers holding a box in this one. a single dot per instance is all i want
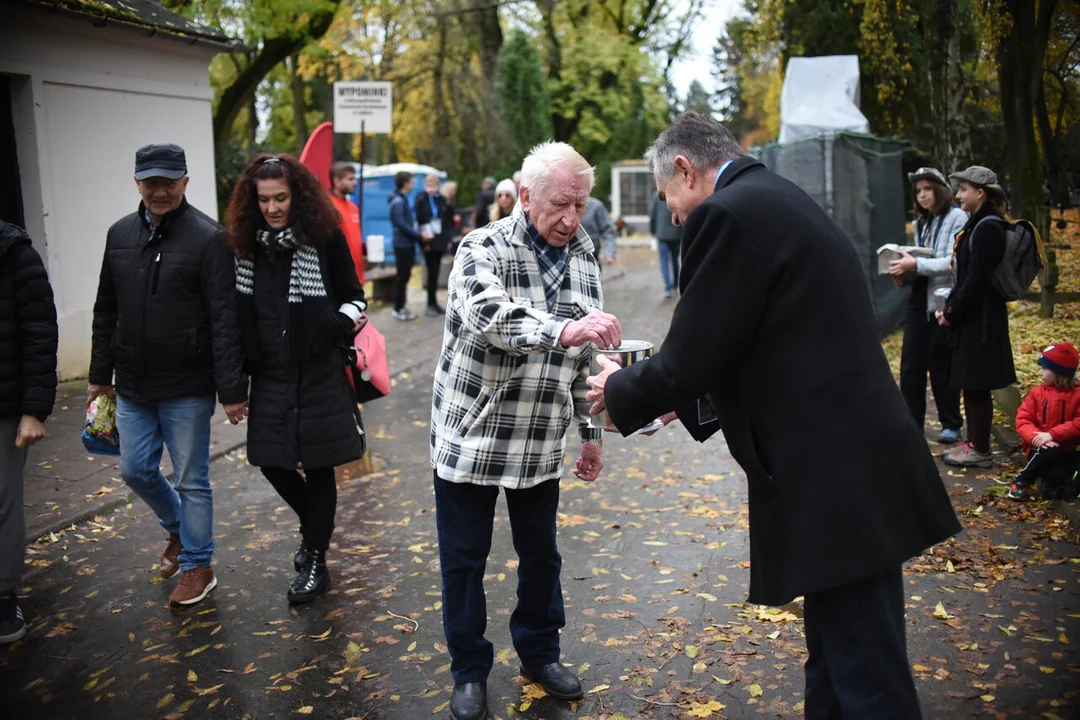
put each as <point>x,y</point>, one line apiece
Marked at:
<point>926,350</point>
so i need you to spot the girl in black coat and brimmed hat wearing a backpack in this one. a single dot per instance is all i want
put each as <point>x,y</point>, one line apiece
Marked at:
<point>977,314</point>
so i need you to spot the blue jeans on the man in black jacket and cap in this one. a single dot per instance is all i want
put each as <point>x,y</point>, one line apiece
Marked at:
<point>185,507</point>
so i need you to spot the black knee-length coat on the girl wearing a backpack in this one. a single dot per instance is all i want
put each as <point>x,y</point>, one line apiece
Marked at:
<point>978,316</point>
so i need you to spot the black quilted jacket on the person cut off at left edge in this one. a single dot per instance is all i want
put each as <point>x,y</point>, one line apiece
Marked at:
<point>28,330</point>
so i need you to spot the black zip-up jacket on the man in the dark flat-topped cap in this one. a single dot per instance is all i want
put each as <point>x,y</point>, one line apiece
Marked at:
<point>166,315</point>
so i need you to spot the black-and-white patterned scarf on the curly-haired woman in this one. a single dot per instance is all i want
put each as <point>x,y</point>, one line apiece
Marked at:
<point>314,323</point>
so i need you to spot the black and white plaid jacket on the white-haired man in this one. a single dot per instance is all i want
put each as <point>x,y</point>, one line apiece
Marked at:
<point>505,390</point>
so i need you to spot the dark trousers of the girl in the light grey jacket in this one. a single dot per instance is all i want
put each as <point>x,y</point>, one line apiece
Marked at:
<point>926,350</point>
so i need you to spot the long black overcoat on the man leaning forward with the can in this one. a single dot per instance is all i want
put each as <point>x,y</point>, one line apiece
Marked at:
<point>775,333</point>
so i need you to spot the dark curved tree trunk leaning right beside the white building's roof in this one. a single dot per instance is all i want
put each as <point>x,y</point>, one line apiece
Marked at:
<point>274,51</point>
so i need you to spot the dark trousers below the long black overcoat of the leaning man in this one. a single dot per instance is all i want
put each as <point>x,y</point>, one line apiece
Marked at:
<point>858,667</point>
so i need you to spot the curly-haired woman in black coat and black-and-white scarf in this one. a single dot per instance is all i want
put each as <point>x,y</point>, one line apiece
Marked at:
<point>300,302</point>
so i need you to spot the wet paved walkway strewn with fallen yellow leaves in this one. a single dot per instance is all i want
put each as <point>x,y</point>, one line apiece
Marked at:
<point>656,558</point>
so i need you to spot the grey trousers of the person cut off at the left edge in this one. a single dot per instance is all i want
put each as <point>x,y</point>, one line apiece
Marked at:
<point>12,520</point>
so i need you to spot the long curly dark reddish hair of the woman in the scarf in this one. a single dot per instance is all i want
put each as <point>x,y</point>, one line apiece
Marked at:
<point>313,215</point>
